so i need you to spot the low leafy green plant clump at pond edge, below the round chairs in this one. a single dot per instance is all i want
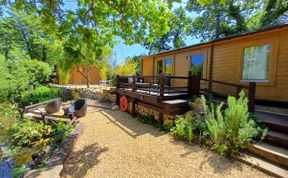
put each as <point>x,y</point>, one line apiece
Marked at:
<point>27,133</point>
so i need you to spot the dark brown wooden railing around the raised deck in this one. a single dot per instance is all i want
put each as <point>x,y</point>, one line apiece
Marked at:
<point>160,85</point>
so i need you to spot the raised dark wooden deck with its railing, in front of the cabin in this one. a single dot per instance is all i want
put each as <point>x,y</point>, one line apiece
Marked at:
<point>160,94</point>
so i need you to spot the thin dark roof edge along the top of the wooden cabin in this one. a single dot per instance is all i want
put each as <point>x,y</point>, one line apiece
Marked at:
<point>221,39</point>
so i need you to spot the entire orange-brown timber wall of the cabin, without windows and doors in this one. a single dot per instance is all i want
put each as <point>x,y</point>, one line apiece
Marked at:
<point>227,64</point>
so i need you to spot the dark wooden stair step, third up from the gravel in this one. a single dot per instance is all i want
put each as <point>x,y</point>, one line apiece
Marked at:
<point>277,138</point>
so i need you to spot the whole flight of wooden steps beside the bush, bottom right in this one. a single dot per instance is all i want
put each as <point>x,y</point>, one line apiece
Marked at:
<point>271,155</point>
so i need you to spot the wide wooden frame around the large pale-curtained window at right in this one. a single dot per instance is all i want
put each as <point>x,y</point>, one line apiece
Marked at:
<point>272,64</point>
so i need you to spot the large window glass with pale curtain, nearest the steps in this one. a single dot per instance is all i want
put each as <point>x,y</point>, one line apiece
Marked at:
<point>256,62</point>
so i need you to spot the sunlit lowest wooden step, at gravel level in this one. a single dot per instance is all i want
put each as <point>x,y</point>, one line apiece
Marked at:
<point>262,164</point>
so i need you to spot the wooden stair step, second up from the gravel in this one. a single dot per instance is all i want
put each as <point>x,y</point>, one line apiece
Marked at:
<point>270,152</point>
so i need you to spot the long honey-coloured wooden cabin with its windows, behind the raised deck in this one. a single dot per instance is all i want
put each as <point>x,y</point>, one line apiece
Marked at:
<point>259,56</point>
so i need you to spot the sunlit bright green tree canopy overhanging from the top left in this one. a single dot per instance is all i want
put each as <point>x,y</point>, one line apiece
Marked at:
<point>97,22</point>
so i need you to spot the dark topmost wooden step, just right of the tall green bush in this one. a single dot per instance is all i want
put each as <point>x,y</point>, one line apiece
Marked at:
<point>275,122</point>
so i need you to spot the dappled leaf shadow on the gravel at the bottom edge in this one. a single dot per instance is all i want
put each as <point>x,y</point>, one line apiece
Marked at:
<point>81,161</point>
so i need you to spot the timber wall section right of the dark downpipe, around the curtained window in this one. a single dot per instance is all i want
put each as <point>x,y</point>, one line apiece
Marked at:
<point>227,64</point>
